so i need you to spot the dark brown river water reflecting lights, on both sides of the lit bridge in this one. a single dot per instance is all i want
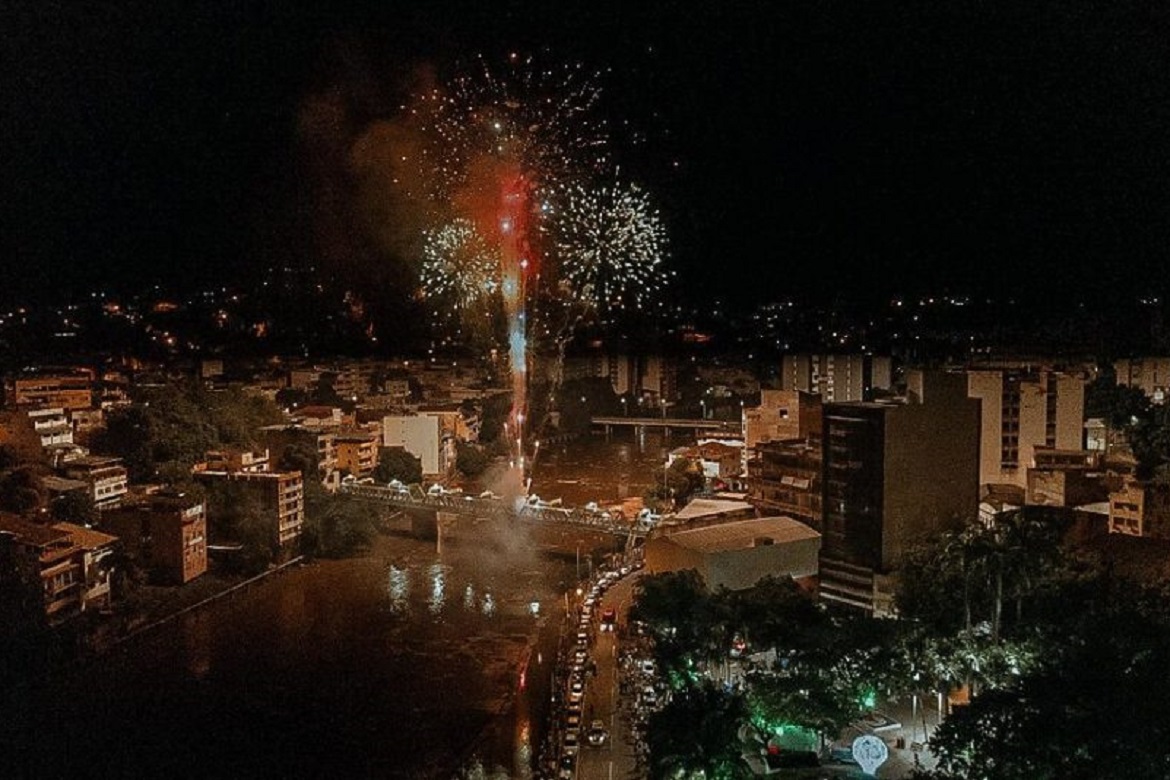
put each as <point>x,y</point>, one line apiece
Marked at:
<point>402,664</point>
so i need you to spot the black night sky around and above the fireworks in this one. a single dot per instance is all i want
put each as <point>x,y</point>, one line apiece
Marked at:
<point>856,148</point>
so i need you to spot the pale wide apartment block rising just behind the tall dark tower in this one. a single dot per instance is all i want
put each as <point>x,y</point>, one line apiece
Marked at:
<point>837,377</point>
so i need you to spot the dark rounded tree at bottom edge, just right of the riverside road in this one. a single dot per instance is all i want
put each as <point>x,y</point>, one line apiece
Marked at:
<point>696,735</point>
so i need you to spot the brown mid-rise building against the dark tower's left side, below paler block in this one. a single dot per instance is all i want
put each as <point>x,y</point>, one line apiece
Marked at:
<point>786,479</point>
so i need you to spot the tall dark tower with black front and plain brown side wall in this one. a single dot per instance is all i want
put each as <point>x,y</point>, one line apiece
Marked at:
<point>896,473</point>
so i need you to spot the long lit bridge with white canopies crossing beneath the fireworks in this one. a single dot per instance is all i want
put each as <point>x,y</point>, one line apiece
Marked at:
<point>415,498</point>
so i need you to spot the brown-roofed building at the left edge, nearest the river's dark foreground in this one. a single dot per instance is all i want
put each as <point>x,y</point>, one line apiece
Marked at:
<point>75,565</point>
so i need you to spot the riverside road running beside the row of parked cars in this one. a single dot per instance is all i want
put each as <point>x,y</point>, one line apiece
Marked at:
<point>615,761</point>
